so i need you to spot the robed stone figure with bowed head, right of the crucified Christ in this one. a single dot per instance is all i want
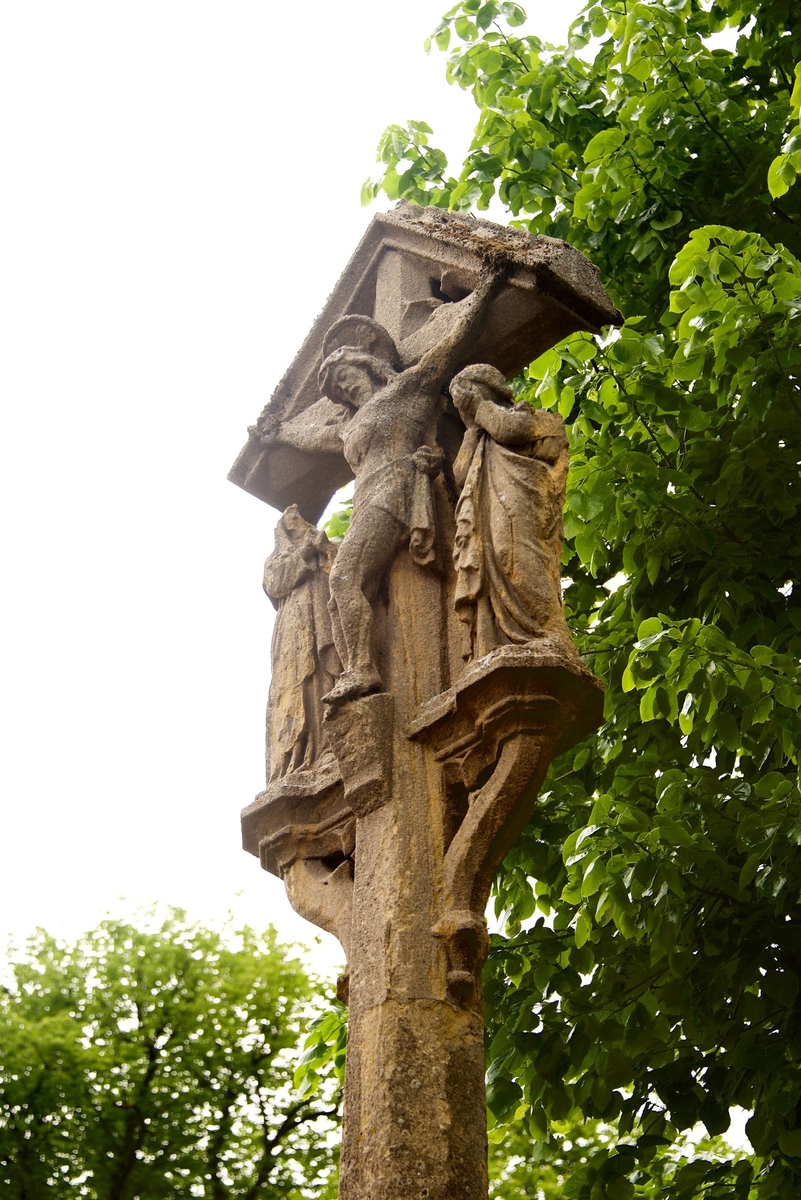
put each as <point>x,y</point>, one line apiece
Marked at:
<point>511,471</point>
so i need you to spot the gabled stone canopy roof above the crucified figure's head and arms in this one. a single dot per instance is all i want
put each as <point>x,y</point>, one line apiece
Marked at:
<point>408,273</point>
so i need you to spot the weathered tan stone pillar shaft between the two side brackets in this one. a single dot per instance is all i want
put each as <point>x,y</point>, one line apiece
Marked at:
<point>415,1120</point>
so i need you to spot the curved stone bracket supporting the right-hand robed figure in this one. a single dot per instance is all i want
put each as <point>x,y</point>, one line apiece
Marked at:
<point>498,729</point>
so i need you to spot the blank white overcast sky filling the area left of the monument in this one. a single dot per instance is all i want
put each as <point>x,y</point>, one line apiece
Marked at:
<point>180,193</point>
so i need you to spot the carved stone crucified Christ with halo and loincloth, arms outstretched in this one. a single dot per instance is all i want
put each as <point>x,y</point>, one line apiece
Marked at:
<point>386,428</point>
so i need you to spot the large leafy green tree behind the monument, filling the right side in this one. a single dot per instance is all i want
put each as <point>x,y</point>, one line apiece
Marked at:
<point>649,974</point>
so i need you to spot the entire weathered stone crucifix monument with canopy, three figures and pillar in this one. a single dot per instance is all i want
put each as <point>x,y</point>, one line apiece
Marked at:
<point>423,673</point>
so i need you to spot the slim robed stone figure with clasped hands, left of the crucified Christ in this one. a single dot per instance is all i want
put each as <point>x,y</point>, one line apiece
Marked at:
<point>305,663</point>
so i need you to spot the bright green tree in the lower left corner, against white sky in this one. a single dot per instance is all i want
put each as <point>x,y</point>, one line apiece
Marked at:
<point>153,1065</point>
